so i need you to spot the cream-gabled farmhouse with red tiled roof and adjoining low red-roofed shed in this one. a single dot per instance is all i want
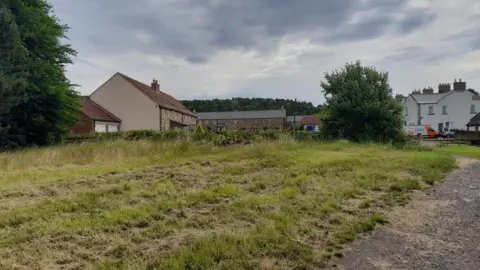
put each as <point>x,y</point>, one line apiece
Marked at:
<point>123,104</point>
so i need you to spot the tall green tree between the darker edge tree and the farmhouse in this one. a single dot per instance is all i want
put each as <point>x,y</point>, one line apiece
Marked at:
<point>52,105</point>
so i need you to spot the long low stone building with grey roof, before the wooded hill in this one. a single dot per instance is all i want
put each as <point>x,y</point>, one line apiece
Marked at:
<point>267,120</point>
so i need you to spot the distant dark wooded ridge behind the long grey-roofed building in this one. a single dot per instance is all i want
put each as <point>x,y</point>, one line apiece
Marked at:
<point>293,107</point>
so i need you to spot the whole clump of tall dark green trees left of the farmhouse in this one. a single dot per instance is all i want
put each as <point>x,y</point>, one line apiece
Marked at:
<point>37,102</point>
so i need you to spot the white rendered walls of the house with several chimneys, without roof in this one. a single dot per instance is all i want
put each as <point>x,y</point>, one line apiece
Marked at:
<point>458,111</point>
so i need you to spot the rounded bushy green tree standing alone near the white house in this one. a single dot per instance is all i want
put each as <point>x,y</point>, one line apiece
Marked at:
<point>360,106</point>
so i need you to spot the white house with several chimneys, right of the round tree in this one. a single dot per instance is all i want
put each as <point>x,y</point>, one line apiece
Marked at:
<point>445,110</point>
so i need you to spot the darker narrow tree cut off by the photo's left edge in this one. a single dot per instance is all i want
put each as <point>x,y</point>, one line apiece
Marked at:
<point>13,62</point>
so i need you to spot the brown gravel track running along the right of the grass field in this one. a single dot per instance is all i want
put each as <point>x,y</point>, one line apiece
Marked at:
<point>438,230</point>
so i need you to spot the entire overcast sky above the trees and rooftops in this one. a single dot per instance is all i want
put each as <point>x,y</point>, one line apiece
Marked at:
<point>203,49</point>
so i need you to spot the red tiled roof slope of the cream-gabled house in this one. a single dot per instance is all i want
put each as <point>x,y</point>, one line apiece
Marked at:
<point>160,98</point>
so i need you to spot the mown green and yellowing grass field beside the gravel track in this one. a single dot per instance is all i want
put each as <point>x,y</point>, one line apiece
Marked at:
<point>145,205</point>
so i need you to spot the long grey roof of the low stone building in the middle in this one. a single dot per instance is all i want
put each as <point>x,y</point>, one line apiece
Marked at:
<point>241,115</point>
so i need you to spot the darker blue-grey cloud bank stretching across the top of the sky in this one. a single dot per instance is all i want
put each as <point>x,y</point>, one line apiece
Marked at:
<point>195,29</point>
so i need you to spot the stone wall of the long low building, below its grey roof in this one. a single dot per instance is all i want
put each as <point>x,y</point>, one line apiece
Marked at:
<point>245,124</point>
